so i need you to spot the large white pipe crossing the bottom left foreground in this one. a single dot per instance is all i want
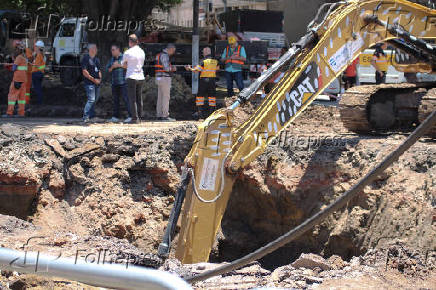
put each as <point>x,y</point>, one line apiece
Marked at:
<point>100,275</point>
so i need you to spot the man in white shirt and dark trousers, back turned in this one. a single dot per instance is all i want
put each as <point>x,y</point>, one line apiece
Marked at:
<point>133,61</point>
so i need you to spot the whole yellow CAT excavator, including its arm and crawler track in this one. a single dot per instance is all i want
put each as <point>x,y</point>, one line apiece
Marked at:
<point>337,35</point>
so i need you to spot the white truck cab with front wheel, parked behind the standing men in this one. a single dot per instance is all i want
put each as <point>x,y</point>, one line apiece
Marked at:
<point>69,43</point>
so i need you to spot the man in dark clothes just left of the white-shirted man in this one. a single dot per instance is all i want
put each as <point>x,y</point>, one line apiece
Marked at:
<point>119,85</point>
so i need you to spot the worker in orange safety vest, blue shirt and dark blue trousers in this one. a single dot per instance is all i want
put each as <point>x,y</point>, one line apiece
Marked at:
<point>234,57</point>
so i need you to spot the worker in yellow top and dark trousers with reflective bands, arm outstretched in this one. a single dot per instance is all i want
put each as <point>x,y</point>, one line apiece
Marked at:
<point>206,86</point>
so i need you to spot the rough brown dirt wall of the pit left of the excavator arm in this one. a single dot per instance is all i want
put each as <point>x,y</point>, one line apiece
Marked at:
<point>117,186</point>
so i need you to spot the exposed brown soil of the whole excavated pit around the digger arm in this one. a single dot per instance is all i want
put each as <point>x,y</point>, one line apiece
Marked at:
<point>109,186</point>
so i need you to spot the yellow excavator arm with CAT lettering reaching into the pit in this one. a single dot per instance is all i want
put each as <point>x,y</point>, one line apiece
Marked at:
<point>339,34</point>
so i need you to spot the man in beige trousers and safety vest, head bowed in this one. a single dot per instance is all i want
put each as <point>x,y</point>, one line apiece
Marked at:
<point>163,69</point>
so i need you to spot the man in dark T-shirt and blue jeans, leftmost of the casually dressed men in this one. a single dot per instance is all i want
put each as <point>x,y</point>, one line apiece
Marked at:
<point>91,71</point>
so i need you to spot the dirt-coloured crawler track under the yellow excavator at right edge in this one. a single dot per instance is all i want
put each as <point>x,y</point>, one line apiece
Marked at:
<point>387,107</point>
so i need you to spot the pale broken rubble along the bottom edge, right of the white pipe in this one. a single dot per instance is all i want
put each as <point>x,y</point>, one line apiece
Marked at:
<point>310,271</point>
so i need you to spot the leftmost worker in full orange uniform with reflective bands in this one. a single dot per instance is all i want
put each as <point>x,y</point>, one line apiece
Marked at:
<point>17,89</point>
